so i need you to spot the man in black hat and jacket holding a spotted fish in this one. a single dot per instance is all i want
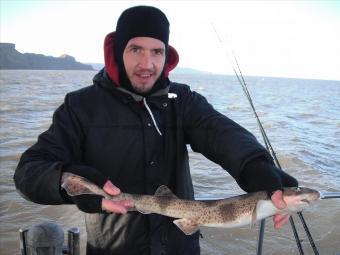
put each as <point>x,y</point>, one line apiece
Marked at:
<point>130,130</point>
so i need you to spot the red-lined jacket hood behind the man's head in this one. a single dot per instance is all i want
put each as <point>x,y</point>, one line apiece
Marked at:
<point>112,67</point>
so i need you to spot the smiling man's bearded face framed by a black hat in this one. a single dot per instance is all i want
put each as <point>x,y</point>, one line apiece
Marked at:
<point>144,59</point>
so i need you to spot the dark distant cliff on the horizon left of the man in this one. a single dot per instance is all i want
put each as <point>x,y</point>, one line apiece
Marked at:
<point>10,58</point>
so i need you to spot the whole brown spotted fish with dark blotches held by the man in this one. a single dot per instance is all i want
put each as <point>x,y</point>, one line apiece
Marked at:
<point>191,214</point>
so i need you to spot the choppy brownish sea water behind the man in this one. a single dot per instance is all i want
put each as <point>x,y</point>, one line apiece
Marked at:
<point>301,118</point>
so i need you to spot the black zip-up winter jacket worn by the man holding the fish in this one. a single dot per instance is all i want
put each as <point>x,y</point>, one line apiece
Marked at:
<point>104,128</point>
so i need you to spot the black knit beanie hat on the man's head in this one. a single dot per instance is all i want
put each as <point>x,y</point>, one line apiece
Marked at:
<point>140,21</point>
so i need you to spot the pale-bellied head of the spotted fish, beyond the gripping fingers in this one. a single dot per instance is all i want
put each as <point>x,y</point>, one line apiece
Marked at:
<point>298,198</point>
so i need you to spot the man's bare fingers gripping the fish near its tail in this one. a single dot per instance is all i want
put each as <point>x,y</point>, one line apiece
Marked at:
<point>115,206</point>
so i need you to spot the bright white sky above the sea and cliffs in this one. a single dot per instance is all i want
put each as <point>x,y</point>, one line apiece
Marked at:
<point>297,39</point>
